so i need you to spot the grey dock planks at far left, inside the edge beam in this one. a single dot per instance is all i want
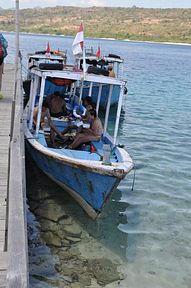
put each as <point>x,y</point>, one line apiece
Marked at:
<point>5,122</point>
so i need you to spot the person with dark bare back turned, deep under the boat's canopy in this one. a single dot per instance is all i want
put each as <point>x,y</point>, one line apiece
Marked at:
<point>57,105</point>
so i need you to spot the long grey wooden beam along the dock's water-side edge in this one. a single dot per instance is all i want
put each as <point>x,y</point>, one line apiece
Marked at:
<point>17,244</point>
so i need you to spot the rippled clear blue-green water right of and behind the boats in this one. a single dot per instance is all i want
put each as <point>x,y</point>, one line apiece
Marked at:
<point>155,128</point>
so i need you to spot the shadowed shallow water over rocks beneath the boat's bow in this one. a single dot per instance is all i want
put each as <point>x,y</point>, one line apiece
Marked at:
<point>52,238</point>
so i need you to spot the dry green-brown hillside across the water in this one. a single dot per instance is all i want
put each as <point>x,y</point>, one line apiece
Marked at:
<point>166,25</point>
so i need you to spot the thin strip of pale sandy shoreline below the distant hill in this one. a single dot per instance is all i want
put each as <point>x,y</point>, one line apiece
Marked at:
<point>103,38</point>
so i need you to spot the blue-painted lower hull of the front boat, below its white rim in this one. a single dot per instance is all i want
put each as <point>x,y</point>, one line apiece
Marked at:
<point>89,187</point>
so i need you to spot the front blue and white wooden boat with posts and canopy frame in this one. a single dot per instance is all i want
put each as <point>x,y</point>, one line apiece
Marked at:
<point>90,177</point>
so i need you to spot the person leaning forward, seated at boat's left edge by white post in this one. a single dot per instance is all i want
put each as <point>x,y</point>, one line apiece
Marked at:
<point>45,117</point>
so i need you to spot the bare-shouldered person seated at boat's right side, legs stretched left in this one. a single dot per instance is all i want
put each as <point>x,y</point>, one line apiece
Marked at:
<point>88,134</point>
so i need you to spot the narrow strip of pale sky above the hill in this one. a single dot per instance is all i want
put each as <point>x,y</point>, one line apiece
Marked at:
<point>85,3</point>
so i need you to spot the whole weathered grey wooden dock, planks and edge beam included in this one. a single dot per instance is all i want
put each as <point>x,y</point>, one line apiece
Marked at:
<point>13,224</point>
